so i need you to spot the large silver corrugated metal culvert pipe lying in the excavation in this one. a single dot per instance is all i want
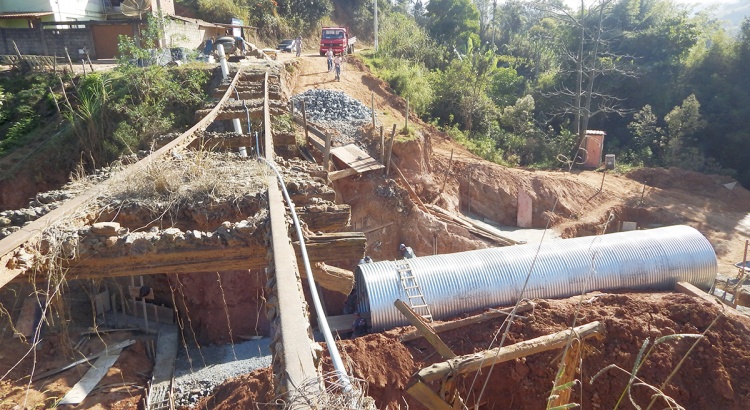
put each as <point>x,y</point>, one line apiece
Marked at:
<point>466,281</point>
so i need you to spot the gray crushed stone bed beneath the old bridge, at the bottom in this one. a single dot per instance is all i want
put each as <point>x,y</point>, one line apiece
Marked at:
<point>212,365</point>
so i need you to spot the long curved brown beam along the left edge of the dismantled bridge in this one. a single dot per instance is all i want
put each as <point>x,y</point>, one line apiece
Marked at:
<point>31,233</point>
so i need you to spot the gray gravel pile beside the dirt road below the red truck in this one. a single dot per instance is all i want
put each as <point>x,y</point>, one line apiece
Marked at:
<point>336,112</point>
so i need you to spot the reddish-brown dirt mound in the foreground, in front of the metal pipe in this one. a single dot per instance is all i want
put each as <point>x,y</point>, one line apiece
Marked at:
<point>714,375</point>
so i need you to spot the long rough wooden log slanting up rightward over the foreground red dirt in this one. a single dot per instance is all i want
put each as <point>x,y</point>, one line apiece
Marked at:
<point>477,361</point>
